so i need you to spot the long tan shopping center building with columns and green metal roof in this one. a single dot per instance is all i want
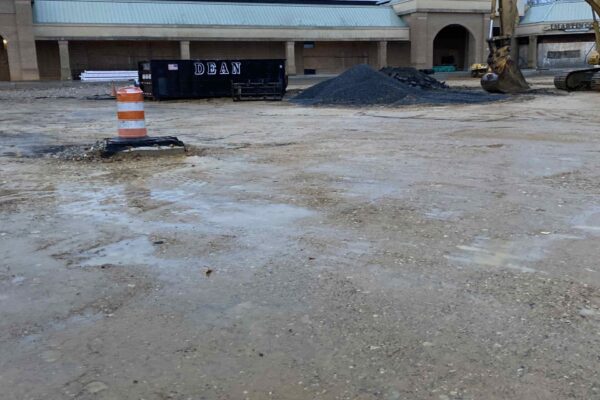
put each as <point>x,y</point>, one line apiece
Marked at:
<point>58,39</point>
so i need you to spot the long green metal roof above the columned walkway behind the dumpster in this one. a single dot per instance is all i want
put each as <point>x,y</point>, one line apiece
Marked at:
<point>134,12</point>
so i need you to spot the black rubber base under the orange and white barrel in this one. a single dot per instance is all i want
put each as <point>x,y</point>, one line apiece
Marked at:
<point>148,145</point>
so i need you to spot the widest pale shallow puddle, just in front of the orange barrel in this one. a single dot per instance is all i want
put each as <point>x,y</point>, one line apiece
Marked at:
<point>124,205</point>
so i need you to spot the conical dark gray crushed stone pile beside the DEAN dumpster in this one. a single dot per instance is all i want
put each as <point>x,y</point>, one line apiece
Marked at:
<point>362,85</point>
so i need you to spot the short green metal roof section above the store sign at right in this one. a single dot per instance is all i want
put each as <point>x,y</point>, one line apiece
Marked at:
<point>558,11</point>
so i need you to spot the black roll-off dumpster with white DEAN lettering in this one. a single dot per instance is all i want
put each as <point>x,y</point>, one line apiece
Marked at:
<point>195,79</point>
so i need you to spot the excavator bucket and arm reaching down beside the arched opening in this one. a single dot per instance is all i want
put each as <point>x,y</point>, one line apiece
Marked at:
<point>504,75</point>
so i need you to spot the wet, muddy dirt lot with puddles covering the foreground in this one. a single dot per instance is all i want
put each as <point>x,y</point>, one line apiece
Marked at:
<point>446,252</point>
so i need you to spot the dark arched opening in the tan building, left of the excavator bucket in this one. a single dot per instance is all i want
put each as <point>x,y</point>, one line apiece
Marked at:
<point>452,46</point>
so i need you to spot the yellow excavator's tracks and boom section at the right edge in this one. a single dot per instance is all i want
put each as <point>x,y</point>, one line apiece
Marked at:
<point>589,78</point>
